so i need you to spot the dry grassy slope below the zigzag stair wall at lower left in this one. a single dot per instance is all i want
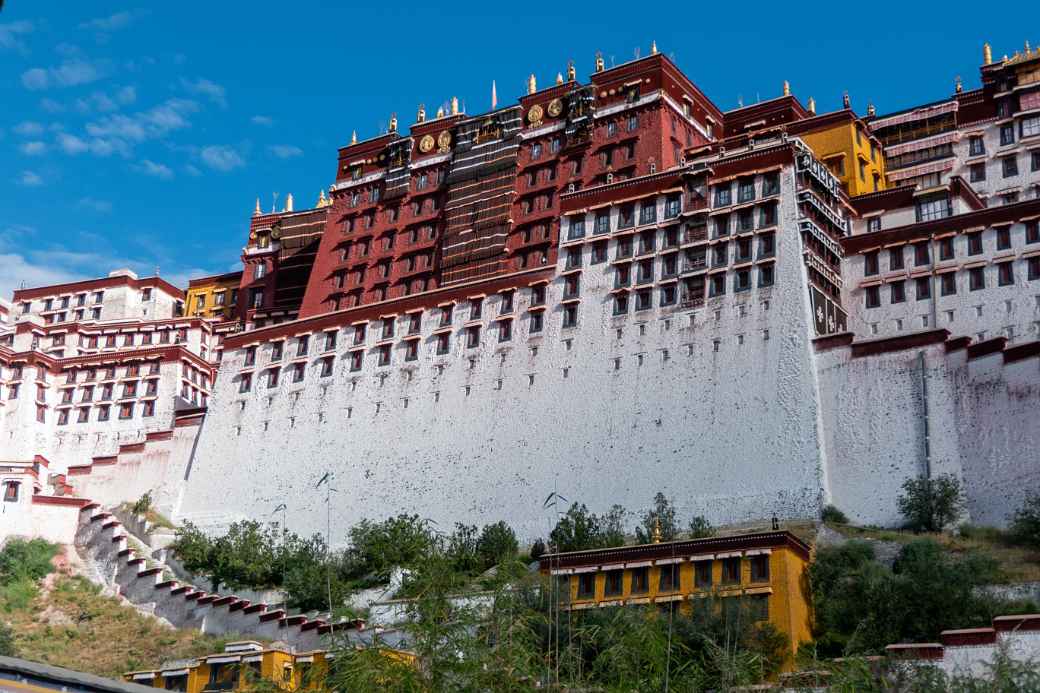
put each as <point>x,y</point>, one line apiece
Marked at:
<point>69,624</point>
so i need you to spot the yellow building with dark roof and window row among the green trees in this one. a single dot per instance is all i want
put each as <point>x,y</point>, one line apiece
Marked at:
<point>767,570</point>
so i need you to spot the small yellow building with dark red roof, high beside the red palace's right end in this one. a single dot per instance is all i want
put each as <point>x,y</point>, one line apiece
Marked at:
<point>844,142</point>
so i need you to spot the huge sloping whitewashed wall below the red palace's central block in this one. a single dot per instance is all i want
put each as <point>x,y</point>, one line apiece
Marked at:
<point>717,410</point>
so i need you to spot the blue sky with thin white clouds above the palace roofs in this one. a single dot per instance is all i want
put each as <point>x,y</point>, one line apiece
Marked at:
<point>140,135</point>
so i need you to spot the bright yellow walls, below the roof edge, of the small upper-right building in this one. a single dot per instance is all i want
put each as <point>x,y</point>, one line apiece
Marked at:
<point>840,142</point>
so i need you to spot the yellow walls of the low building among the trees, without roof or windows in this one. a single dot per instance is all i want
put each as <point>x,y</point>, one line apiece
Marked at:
<point>789,604</point>
